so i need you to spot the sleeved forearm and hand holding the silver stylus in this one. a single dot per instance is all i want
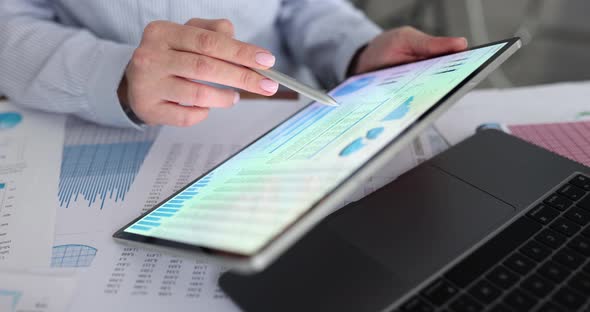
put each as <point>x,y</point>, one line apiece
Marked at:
<point>55,68</point>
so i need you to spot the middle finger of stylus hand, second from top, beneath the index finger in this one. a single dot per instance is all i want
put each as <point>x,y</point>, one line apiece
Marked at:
<point>200,67</point>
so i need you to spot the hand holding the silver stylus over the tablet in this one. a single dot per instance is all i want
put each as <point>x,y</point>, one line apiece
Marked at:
<point>170,55</point>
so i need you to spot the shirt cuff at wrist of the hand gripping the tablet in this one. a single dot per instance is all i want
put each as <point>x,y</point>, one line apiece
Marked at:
<point>360,34</point>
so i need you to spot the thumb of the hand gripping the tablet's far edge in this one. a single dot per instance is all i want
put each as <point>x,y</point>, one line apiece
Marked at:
<point>426,45</point>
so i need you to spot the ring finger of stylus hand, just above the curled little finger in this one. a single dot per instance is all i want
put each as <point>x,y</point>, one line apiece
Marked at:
<point>180,90</point>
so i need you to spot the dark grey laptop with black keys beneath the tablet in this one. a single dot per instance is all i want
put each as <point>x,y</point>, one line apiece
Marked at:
<point>492,224</point>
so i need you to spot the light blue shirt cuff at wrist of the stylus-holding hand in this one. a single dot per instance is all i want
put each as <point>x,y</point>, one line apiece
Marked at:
<point>102,93</point>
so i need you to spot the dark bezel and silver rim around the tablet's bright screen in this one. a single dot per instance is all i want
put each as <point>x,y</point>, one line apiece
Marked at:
<point>330,201</point>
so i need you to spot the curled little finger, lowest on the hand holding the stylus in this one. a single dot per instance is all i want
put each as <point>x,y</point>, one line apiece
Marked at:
<point>173,114</point>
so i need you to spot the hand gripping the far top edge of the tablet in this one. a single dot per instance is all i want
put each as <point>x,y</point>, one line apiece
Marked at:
<point>403,45</point>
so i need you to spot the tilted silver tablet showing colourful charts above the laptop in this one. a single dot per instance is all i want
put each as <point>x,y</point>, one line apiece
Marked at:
<point>254,205</point>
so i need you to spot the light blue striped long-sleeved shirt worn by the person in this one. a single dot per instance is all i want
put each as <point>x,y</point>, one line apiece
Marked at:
<point>68,56</point>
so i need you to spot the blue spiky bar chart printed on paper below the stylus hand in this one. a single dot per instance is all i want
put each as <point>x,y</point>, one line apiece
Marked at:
<point>99,164</point>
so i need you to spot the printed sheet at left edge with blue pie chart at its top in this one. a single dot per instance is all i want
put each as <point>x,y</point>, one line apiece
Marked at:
<point>30,154</point>
